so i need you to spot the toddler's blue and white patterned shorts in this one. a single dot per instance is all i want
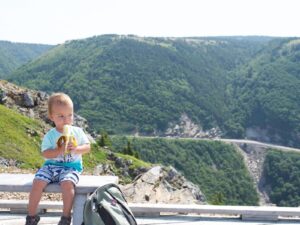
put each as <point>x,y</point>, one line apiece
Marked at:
<point>57,174</point>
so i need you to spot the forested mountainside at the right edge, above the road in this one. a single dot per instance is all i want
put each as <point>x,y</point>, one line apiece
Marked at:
<point>265,94</point>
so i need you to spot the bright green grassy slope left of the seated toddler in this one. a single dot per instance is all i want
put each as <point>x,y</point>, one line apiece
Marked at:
<point>20,138</point>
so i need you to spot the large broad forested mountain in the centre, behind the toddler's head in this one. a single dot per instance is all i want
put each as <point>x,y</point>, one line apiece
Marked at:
<point>126,84</point>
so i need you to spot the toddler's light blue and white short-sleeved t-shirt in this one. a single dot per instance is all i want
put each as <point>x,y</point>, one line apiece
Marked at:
<point>70,160</point>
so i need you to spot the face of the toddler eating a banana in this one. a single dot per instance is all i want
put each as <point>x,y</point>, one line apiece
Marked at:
<point>61,115</point>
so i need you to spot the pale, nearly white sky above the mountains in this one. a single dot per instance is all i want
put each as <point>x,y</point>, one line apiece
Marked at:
<point>56,21</point>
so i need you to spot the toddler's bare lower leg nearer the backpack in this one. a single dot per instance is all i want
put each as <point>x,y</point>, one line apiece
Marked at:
<point>68,193</point>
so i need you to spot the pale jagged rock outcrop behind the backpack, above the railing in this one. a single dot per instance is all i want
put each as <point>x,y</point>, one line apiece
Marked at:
<point>162,185</point>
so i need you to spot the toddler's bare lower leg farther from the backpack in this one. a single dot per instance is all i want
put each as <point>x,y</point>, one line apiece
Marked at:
<point>35,196</point>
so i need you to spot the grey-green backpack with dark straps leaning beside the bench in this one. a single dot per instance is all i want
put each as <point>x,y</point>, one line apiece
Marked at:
<point>107,206</point>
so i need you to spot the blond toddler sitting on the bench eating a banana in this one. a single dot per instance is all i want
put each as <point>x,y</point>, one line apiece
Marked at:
<point>63,162</point>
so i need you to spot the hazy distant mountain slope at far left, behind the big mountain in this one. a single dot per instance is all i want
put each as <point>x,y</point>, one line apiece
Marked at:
<point>13,55</point>
